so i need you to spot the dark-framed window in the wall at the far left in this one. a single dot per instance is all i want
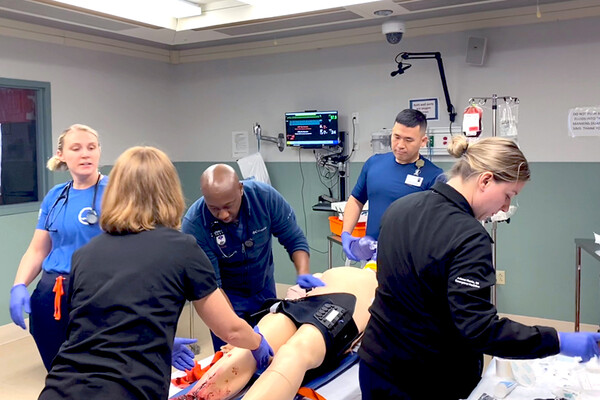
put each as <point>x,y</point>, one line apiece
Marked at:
<point>25,144</point>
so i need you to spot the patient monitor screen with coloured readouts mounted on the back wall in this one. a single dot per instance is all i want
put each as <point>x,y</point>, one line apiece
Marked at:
<point>312,129</point>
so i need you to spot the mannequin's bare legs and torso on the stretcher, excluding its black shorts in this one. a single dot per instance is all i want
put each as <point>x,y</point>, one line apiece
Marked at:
<point>296,349</point>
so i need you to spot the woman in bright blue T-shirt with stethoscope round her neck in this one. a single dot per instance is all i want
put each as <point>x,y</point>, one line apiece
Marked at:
<point>67,220</point>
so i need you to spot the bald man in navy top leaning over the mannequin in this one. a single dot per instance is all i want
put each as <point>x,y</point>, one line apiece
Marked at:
<point>233,223</point>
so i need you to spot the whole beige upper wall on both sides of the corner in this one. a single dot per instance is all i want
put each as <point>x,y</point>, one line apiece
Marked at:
<point>191,109</point>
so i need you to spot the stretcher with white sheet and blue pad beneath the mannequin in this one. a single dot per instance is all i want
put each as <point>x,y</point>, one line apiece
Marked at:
<point>339,384</point>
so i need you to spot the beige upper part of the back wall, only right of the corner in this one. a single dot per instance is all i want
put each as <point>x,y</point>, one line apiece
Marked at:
<point>550,67</point>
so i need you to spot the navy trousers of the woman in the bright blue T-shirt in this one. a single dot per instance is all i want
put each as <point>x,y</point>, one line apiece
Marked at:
<point>48,333</point>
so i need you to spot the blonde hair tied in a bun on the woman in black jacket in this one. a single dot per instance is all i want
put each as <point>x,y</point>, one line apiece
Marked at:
<point>500,156</point>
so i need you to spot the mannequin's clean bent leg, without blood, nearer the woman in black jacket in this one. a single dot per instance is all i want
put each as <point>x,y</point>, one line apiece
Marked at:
<point>303,351</point>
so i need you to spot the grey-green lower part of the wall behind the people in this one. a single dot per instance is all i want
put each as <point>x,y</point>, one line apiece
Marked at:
<point>536,248</point>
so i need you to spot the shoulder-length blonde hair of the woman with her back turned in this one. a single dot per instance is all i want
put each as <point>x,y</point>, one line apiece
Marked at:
<point>143,191</point>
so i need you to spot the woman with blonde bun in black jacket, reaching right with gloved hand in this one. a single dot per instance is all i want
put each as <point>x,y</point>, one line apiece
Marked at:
<point>432,319</point>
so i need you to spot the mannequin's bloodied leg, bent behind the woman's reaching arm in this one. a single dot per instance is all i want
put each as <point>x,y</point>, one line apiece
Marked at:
<point>231,373</point>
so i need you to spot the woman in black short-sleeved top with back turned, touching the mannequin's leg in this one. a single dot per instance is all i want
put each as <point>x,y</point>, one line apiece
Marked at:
<point>129,285</point>
